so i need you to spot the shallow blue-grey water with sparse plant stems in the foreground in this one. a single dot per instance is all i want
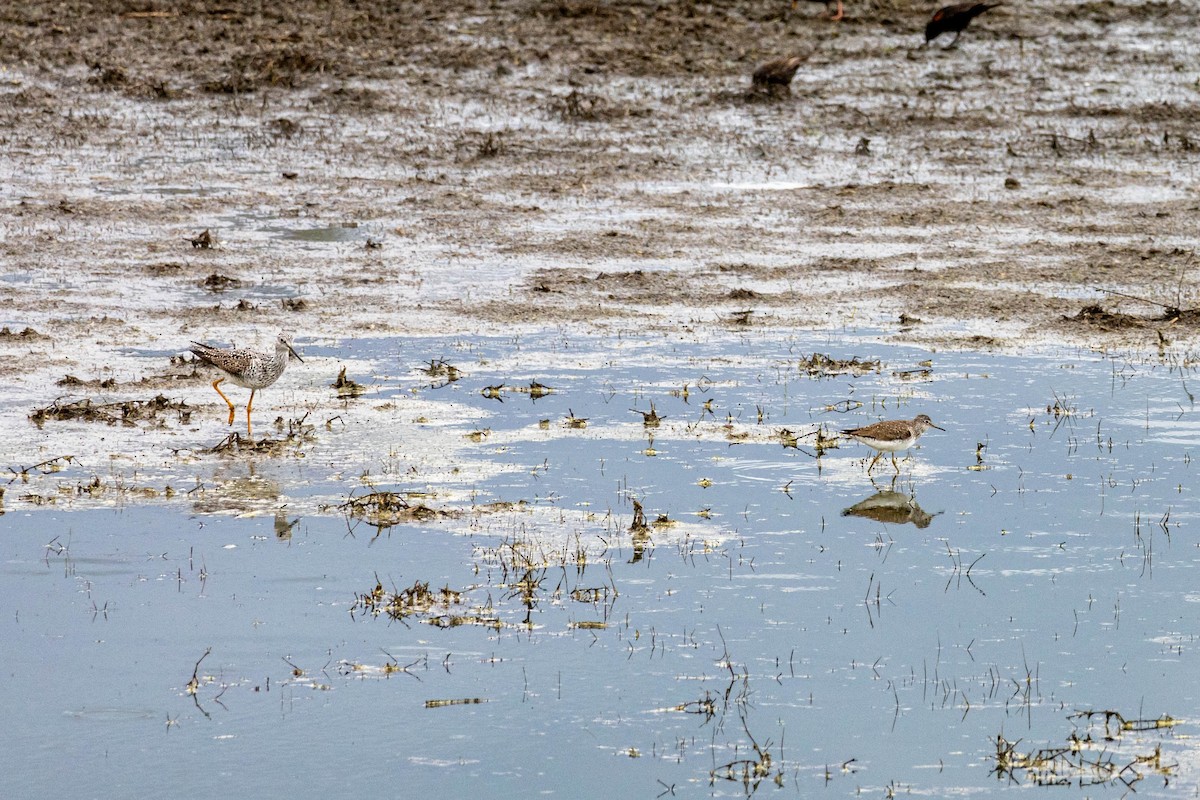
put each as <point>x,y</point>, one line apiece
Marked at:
<point>871,635</point>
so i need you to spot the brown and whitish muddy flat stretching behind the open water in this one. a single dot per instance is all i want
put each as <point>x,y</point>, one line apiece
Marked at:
<point>182,172</point>
